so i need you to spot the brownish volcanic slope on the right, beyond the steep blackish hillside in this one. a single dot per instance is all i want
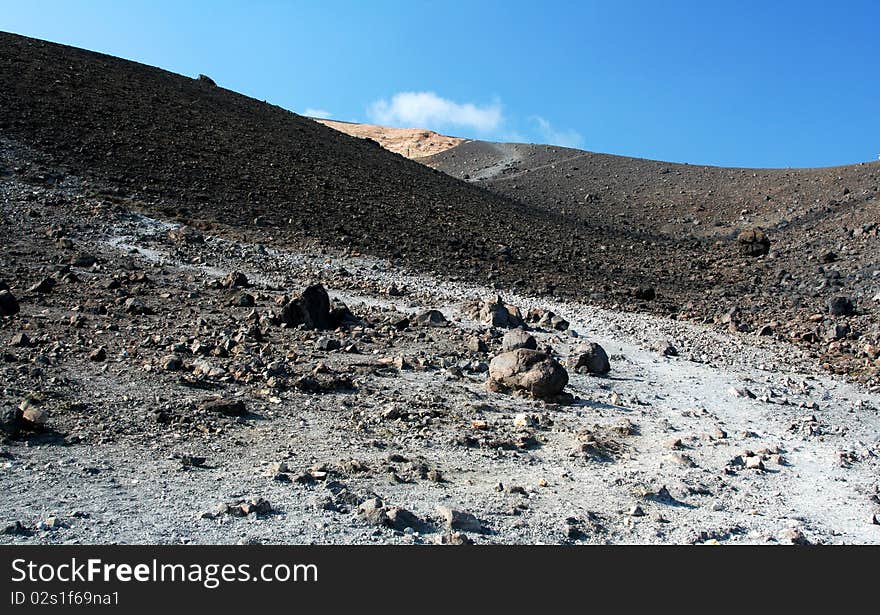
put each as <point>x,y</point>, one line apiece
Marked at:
<point>822,225</point>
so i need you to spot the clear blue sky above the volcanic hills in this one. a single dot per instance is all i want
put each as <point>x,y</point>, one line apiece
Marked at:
<point>747,83</point>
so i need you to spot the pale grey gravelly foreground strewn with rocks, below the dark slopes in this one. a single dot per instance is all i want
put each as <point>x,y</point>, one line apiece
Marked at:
<point>165,384</point>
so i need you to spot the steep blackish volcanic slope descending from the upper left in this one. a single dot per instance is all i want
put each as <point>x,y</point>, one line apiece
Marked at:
<point>185,148</point>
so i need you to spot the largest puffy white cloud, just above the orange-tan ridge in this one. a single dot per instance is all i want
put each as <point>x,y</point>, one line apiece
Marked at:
<point>427,110</point>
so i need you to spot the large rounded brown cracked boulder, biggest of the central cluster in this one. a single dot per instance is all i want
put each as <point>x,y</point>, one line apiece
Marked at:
<point>528,370</point>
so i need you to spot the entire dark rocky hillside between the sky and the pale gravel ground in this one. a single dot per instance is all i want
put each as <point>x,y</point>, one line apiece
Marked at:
<point>780,253</point>
